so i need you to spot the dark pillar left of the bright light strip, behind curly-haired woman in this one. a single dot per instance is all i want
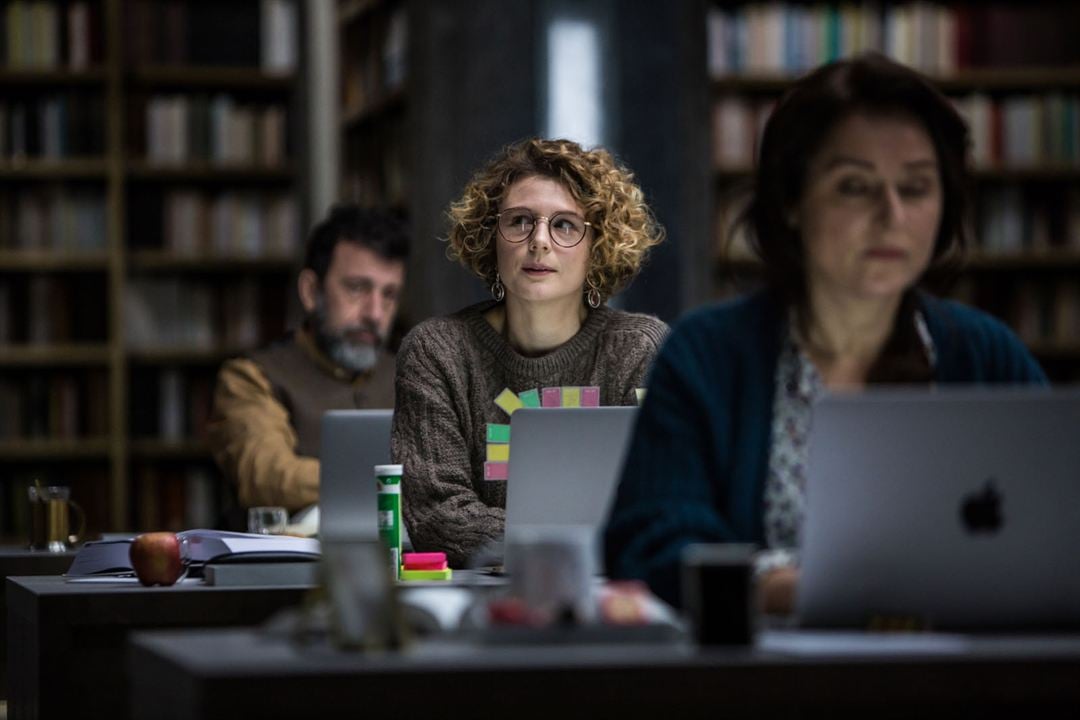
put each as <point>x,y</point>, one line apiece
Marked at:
<point>471,91</point>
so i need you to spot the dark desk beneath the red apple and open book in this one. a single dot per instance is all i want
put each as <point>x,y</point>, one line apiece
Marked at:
<point>67,651</point>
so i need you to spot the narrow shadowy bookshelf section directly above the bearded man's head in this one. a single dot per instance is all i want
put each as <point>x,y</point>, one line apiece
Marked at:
<point>374,108</point>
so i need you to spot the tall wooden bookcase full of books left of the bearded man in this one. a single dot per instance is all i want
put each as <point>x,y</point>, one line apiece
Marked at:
<point>151,221</point>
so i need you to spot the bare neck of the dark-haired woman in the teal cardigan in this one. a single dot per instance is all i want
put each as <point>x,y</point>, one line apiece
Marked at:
<point>844,336</point>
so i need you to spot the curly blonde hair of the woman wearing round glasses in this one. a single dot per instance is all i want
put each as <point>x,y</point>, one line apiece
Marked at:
<point>624,226</point>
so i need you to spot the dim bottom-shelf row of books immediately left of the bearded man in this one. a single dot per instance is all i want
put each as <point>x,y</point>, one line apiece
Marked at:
<point>173,499</point>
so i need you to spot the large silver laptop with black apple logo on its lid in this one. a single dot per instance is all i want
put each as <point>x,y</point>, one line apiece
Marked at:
<point>950,509</point>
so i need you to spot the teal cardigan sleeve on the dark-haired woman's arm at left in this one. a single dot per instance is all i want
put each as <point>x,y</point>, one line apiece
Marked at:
<point>667,498</point>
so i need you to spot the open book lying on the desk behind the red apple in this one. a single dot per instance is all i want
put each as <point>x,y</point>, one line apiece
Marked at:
<point>112,556</point>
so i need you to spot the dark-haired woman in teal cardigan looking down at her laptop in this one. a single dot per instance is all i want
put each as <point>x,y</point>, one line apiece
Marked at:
<point>861,188</point>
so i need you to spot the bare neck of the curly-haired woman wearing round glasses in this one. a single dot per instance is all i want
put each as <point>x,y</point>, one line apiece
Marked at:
<point>535,329</point>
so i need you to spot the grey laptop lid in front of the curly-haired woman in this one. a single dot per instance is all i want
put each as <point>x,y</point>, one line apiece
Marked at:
<point>564,467</point>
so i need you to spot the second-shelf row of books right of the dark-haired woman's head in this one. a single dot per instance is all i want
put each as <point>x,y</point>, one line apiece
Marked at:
<point>1020,131</point>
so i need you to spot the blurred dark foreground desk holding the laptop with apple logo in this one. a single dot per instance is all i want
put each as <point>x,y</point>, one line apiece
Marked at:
<point>242,673</point>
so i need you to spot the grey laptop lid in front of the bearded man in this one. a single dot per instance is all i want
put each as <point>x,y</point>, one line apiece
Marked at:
<point>354,442</point>
